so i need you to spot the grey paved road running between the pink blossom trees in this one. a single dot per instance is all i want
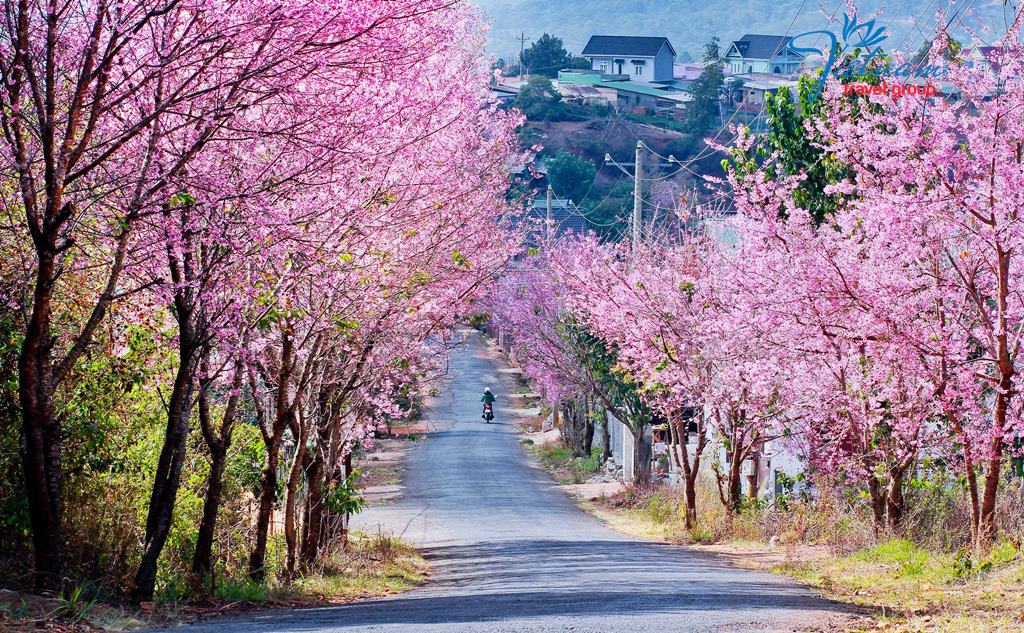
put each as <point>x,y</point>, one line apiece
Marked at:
<point>511,553</point>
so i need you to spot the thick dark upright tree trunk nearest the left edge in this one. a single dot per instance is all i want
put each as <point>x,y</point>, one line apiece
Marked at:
<point>41,449</point>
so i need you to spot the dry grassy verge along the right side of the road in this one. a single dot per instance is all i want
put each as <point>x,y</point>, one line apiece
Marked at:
<point>908,588</point>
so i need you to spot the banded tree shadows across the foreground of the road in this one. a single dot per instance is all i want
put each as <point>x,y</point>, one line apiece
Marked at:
<point>513,580</point>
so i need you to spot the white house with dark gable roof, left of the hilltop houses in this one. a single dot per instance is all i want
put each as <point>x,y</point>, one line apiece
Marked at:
<point>642,59</point>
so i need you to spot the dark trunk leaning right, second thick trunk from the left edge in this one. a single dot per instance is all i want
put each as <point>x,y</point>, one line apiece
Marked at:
<point>168,480</point>
